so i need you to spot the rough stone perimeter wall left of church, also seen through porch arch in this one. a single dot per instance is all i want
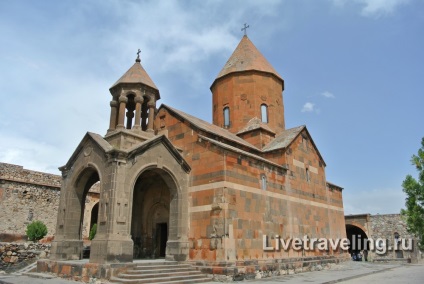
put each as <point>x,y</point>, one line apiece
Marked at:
<point>27,195</point>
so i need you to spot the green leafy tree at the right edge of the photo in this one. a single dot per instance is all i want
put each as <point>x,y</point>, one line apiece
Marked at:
<point>414,189</point>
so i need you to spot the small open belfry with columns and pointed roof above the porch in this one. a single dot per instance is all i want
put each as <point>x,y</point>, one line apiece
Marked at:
<point>134,98</point>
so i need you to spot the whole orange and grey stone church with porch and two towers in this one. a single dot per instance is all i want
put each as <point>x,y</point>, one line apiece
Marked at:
<point>176,187</point>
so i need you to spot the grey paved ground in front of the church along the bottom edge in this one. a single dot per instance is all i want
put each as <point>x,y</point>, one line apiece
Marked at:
<point>348,272</point>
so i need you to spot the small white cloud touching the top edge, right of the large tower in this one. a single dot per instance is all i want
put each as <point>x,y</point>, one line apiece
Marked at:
<point>374,8</point>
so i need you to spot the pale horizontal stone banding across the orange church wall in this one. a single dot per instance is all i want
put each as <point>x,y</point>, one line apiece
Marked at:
<point>235,186</point>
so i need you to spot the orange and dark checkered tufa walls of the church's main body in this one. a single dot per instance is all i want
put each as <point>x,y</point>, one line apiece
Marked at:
<point>231,209</point>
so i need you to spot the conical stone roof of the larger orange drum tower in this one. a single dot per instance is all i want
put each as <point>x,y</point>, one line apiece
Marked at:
<point>247,57</point>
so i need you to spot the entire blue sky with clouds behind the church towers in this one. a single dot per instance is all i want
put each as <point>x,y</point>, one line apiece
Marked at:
<point>352,69</point>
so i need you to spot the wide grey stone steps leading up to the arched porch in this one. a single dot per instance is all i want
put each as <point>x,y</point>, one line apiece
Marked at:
<point>160,273</point>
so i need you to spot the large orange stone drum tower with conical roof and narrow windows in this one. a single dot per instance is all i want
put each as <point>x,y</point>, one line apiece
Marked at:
<point>248,94</point>
